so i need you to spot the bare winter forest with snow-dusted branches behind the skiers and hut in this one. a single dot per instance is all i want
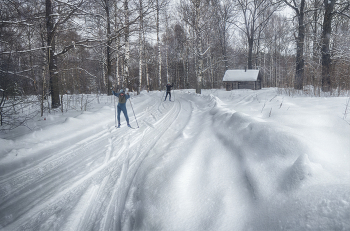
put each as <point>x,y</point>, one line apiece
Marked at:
<point>51,50</point>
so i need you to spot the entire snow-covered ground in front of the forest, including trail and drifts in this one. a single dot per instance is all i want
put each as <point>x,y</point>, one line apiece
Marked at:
<point>239,160</point>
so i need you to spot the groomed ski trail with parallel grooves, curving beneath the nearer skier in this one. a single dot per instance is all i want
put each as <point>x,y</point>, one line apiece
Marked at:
<point>102,173</point>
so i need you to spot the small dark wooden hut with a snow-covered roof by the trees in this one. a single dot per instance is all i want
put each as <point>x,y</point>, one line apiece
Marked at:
<point>242,79</point>
